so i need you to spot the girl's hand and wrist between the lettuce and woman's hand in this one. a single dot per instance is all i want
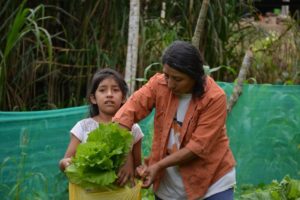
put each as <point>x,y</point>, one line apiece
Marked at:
<point>126,172</point>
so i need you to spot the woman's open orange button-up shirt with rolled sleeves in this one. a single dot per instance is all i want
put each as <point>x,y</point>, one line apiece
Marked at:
<point>204,131</point>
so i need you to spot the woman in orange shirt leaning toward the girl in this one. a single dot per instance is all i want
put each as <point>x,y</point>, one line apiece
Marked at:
<point>190,156</point>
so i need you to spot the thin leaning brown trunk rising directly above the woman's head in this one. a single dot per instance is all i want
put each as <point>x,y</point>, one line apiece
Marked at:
<point>199,30</point>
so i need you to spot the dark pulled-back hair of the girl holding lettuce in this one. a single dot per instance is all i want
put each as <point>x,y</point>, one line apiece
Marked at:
<point>98,77</point>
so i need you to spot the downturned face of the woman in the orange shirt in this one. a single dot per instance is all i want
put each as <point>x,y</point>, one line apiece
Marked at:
<point>178,82</point>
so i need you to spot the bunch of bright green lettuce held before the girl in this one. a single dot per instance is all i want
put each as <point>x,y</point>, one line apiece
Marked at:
<point>96,162</point>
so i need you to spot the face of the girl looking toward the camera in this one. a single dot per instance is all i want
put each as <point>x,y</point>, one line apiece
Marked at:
<point>108,97</point>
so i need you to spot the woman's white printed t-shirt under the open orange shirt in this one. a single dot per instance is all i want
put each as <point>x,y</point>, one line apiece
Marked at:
<point>171,186</point>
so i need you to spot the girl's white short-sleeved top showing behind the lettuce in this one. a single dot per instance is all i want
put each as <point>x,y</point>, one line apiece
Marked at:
<point>85,126</point>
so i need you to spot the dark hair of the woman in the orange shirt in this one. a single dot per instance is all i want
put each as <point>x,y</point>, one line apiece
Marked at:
<point>187,59</point>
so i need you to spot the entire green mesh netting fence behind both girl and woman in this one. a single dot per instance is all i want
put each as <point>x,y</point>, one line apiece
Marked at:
<point>264,131</point>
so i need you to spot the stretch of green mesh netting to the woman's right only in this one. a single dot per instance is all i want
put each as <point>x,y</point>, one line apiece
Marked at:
<point>264,131</point>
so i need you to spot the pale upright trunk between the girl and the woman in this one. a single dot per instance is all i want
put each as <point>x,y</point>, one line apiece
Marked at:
<point>132,48</point>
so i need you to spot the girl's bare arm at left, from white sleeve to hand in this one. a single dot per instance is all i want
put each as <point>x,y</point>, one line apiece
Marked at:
<point>70,152</point>
